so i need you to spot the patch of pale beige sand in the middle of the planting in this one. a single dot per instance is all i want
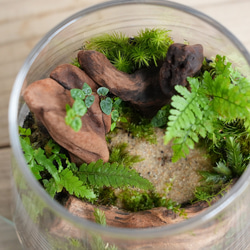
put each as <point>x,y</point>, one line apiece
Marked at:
<point>182,177</point>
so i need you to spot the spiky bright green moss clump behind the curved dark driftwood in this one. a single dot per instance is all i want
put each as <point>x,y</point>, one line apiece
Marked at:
<point>131,53</point>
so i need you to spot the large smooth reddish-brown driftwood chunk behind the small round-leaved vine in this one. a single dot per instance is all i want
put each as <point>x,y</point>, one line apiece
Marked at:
<point>47,100</point>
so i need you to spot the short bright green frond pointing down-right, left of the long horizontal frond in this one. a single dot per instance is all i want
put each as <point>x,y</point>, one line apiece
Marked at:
<point>74,186</point>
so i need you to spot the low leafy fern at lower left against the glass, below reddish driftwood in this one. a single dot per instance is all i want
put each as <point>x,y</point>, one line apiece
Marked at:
<point>42,165</point>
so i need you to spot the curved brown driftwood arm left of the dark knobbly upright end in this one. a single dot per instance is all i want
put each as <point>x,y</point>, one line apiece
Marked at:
<point>141,89</point>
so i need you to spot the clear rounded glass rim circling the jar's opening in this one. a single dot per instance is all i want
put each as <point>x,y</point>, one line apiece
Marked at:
<point>143,233</point>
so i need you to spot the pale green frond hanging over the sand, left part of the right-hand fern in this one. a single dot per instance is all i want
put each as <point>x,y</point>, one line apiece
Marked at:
<point>187,120</point>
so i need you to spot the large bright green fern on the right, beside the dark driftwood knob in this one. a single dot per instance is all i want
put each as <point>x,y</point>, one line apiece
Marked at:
<point>213,98</point>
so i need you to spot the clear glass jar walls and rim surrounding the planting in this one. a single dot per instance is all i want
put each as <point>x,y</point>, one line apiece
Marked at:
<point>37,217</point>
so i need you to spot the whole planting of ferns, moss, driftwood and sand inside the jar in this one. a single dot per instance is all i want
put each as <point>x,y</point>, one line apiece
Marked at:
<point>94,124</point>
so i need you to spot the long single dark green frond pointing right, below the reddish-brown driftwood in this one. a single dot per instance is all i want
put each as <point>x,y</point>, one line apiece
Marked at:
<point>101,174</point>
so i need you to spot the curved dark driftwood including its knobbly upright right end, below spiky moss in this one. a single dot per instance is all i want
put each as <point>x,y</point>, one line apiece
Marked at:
<point>147,89</point>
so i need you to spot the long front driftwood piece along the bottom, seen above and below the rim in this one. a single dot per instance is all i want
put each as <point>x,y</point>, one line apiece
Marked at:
<point>157,217</point>
